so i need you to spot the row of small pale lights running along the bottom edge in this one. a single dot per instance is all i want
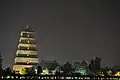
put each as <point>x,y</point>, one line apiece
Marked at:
<point>38,77</point>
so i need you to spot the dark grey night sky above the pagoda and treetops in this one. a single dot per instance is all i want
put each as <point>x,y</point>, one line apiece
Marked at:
<point>66,30</point>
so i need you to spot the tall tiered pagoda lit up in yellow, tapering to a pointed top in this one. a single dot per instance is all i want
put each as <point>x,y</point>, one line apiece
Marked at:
<point>26,55</point>
